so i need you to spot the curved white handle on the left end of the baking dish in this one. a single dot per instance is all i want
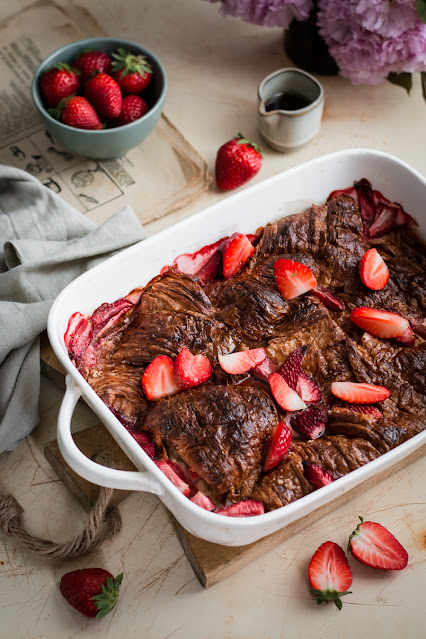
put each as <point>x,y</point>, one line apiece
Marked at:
<point>85,467</point>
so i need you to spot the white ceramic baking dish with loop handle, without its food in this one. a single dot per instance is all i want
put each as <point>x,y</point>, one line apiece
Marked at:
<point>288,192</point>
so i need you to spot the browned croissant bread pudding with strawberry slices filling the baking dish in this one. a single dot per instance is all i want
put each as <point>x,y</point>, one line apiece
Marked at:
<point>263,367</point>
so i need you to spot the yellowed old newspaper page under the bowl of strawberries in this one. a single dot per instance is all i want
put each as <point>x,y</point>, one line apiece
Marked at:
<point>156,177</point>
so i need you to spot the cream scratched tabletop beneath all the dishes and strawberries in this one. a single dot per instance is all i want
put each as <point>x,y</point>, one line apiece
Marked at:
<point>214,67</point>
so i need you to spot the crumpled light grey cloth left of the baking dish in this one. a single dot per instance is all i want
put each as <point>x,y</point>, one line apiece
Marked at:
<point>44,244</point>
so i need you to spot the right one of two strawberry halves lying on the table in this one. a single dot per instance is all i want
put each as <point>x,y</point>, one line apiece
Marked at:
<point>375,546</point>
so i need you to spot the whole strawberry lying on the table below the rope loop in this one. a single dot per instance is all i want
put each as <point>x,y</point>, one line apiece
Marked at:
<point>91,591</point>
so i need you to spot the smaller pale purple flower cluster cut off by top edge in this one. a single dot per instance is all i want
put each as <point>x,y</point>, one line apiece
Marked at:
<point>269,13</point>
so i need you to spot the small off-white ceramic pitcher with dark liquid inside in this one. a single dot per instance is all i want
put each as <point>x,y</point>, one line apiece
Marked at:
<point>290,106</point>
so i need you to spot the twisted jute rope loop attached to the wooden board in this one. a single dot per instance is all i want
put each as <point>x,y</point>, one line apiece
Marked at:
<point>100,527</point>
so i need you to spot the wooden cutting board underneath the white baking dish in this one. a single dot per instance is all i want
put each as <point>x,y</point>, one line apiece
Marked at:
<point>211,562</point>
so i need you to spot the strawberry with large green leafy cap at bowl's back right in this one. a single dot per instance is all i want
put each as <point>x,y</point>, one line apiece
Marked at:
<point>132,72</point>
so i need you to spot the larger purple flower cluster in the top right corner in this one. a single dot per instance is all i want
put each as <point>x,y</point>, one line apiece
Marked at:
<point>371,38</point>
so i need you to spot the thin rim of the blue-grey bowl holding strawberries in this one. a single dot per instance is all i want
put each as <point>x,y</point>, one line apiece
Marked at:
<point>47,62</point>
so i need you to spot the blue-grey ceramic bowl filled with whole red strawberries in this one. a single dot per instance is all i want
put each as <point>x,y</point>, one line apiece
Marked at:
<point>100,97</point>
